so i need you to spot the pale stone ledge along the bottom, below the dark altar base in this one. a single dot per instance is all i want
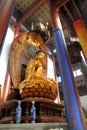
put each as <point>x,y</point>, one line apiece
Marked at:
<point>36,126</point>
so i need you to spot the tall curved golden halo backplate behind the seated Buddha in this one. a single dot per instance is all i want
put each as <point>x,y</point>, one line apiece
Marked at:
<point>21,52</point>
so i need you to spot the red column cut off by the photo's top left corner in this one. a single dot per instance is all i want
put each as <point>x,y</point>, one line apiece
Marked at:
<point>6,8</point>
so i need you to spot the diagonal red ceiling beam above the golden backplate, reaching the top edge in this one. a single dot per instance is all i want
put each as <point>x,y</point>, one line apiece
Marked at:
<point>30,12</point>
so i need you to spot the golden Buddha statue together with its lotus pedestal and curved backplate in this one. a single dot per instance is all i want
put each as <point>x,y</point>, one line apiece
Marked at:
<point>35,84</point>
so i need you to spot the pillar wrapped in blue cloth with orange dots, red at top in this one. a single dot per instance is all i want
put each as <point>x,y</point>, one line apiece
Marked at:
<point>75,116</point>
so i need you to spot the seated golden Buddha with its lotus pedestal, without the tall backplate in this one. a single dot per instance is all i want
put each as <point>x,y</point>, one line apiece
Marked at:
<point>36,83</point>
